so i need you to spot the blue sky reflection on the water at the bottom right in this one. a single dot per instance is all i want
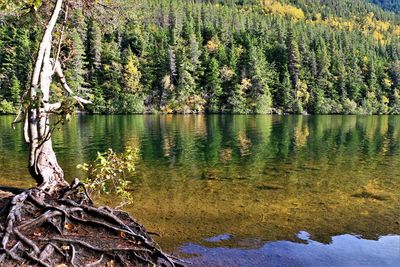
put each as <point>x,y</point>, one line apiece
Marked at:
<point>344,250</point>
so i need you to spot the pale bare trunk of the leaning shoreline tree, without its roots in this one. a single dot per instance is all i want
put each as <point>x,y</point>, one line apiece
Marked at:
<point>43,164</point>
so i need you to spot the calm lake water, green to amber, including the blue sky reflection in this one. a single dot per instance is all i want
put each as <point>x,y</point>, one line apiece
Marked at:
<point>248,190</point>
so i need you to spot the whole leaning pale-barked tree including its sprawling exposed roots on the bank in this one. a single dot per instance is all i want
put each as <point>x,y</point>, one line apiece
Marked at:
<point>57,224</point>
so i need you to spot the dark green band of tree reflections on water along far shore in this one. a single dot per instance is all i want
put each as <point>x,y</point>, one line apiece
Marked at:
<point>206,141</point>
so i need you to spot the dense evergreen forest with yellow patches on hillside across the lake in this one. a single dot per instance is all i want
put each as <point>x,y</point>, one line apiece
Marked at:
<point>234,56</point>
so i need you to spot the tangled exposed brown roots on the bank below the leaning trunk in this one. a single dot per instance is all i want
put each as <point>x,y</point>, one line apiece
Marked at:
<point>68,230</point>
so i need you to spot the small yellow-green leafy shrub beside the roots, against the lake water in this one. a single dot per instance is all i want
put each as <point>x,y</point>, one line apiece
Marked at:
<point>109,173</point>
